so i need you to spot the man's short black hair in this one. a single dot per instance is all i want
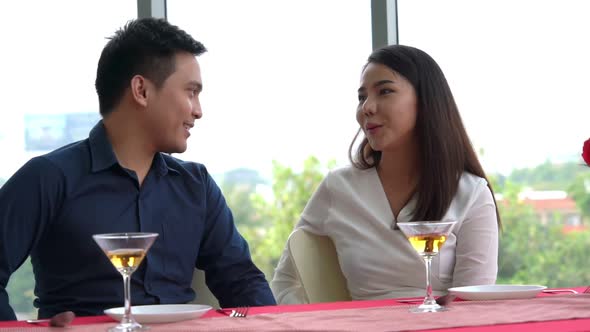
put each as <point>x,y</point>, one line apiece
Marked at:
<point>144,47</point>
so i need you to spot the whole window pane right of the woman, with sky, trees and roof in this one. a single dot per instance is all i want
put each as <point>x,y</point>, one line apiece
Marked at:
<point>519,70</point>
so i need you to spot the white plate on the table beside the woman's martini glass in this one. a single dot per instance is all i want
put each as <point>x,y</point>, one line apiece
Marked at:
<point>497,292</point>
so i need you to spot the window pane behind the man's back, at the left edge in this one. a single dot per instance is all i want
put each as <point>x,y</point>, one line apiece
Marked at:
<point>49,58</point>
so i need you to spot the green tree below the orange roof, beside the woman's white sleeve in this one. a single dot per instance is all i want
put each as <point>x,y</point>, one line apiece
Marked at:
<point>533,253</point>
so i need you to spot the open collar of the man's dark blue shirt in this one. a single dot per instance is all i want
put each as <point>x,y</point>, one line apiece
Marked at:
<point>104,157</point>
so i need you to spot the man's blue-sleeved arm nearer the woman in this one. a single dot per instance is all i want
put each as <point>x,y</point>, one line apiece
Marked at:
<point>224,256</point>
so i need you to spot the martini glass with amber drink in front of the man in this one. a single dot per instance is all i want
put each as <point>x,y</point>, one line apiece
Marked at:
<point>126,251</point>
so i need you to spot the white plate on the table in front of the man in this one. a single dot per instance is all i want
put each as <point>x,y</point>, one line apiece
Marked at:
<point>161,313</point>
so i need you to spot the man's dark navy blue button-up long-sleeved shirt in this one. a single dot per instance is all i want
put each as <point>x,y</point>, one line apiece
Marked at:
<point>54,204</point>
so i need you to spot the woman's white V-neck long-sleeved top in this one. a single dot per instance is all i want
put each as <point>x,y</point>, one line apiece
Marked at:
<point>350,206</point>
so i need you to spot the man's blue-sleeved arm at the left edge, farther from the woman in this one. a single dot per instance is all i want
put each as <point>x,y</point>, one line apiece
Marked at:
<point>27,201</point>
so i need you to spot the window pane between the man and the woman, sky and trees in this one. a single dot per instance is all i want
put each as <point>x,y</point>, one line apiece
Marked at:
<point>280,81</point>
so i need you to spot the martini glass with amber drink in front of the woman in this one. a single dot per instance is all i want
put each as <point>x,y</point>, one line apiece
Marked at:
<point>427,237</point>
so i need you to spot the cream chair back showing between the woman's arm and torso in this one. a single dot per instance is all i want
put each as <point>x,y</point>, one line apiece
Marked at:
<point>316,263</point>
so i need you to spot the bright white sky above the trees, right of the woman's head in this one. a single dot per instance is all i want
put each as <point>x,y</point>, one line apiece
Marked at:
<point>518,71</point>
